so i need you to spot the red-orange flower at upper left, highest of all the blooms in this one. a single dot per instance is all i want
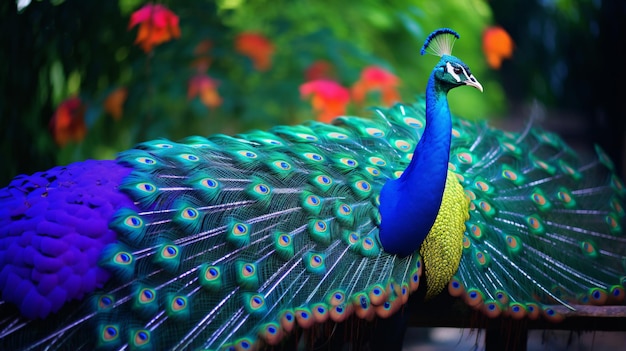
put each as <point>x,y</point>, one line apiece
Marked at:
<point>157,24</point>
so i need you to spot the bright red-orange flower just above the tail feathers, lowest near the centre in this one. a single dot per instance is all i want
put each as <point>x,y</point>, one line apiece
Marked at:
<point>330,99</point>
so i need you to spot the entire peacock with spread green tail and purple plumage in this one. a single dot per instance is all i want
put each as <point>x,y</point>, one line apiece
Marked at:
<point>236,242</point>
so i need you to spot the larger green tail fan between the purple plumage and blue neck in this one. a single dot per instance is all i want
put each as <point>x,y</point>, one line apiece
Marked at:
<point>235,241</point>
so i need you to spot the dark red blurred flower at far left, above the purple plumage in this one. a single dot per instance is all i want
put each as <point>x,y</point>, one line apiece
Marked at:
<point>68,122</point>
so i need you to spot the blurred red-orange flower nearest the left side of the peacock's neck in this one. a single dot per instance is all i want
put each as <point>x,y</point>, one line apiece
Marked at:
<point>374,78</point>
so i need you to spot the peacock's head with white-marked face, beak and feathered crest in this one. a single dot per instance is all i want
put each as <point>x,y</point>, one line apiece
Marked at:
<point>450,72</point>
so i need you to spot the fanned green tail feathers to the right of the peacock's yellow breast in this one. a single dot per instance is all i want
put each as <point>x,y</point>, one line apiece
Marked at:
<point>545,228</point>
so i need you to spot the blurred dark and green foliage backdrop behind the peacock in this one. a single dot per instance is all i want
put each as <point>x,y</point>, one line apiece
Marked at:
<point>201,83</point>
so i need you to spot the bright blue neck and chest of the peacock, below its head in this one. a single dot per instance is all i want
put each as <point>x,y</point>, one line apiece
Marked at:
<point>409,205</point>
